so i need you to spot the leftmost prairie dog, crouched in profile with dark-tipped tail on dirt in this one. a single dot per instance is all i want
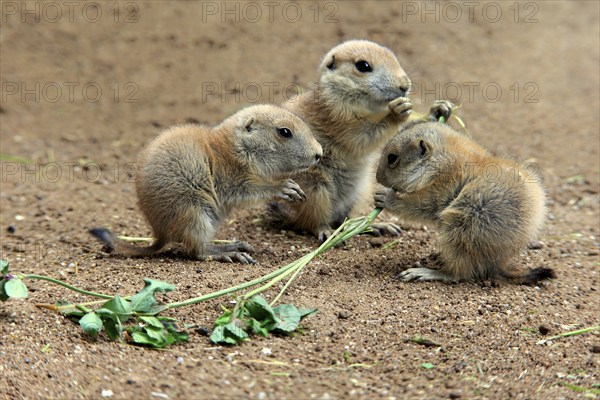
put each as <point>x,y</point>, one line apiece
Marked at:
<point>190,178</point>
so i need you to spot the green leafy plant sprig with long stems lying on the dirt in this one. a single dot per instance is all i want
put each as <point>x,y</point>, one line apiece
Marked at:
<point>136,316</point>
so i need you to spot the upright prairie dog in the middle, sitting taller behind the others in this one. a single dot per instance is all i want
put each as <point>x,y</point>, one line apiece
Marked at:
<point>356,106</point>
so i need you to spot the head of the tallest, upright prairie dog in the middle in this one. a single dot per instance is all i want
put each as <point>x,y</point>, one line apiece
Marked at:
<point>364,75</point>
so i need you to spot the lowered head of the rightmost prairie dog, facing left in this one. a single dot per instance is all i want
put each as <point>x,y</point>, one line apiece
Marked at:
<point>413,158</point>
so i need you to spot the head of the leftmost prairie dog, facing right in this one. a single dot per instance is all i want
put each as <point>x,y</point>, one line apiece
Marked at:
<point>274,142</point>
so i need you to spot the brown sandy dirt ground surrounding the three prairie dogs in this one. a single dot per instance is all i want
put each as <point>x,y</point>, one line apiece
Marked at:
<point>91,83</point>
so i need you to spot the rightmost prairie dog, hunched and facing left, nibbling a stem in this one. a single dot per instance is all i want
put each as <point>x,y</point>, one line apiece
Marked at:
<point>486,209</point>
